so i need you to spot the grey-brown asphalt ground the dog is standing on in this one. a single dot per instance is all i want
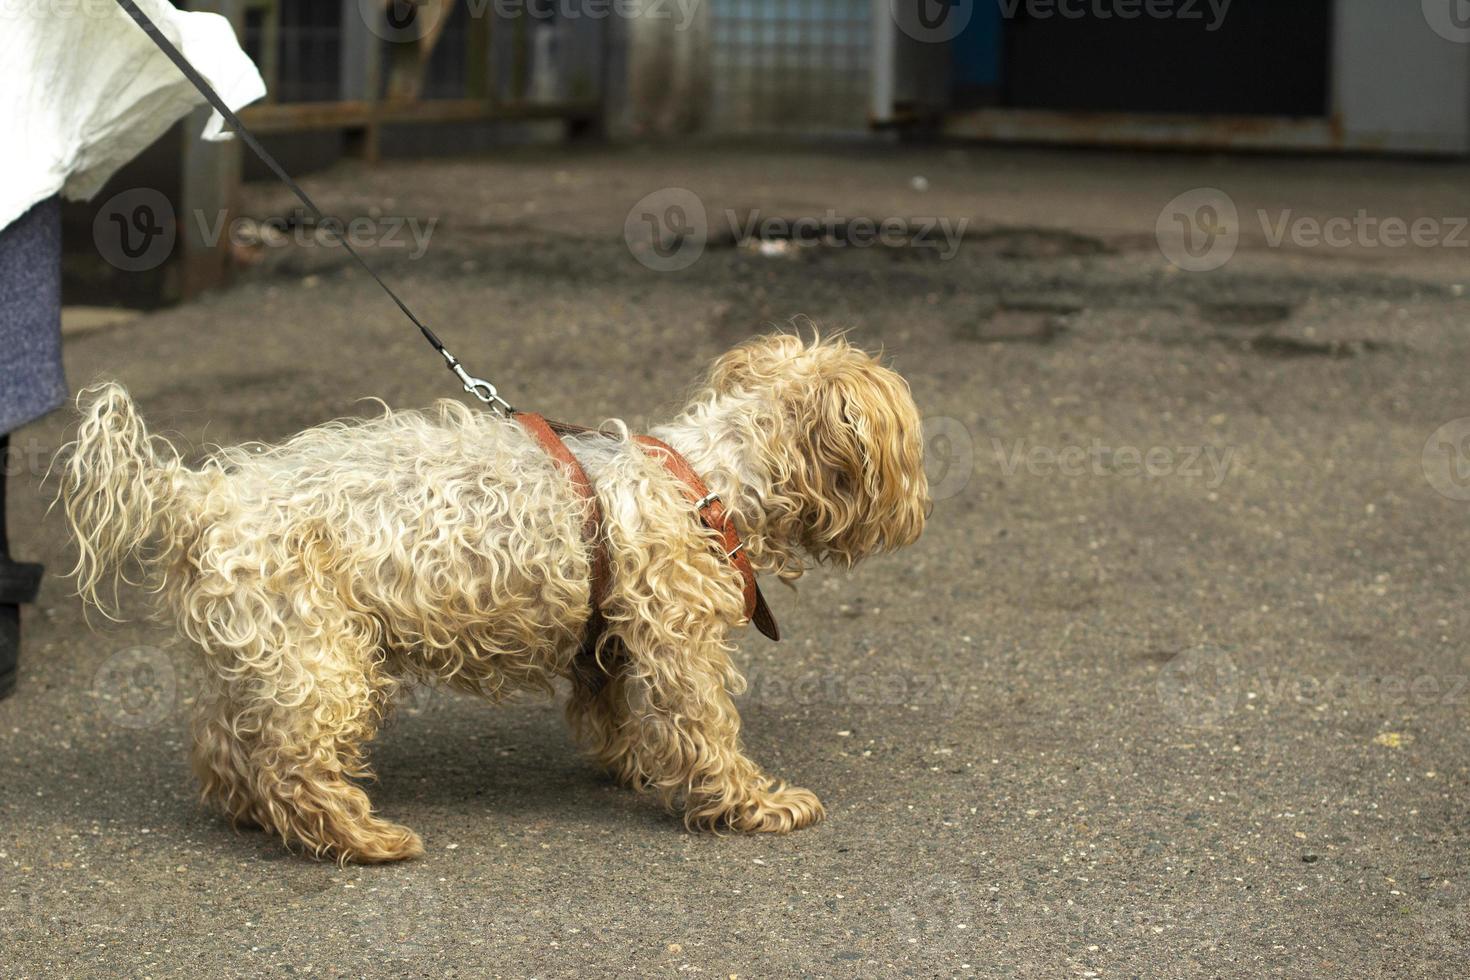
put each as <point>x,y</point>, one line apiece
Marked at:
<point>1175,685</point>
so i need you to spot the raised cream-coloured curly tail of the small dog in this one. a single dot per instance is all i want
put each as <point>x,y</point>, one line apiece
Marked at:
<point>117,489</point>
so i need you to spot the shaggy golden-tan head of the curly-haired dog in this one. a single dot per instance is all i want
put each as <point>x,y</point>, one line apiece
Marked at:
<point>846,450</point>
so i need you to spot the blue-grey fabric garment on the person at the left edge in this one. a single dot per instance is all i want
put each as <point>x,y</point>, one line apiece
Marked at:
<point>32,380</point>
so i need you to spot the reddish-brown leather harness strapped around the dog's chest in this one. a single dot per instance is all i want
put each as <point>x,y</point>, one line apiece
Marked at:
<point>709,508</point>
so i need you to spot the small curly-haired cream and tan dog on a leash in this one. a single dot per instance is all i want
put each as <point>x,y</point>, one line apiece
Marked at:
<point>321,575</point>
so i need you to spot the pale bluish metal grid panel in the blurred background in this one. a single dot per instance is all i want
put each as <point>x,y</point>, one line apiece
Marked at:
<point>790,65</point>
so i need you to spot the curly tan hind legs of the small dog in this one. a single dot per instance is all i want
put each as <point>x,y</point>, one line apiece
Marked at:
<point>277,747</point>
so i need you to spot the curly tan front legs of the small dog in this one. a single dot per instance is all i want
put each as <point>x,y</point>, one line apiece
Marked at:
<point>665,724</point>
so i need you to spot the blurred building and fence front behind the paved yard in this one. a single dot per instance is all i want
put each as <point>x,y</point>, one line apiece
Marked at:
<point>371,79</point>
